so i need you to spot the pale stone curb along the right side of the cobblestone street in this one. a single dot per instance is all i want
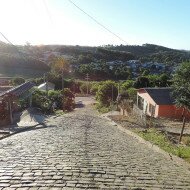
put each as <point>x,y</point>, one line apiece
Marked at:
<point>156,148</point>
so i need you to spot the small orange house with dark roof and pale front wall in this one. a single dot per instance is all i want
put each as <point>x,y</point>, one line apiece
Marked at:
<point>158,102</point>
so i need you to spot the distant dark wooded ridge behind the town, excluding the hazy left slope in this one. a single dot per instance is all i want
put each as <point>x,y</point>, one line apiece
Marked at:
<point>145,53</point>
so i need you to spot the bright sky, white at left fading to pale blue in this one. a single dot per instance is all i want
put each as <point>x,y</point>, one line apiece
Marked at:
<point>163,22</point>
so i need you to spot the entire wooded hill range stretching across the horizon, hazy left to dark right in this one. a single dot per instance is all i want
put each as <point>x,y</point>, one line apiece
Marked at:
<point>34,59</point>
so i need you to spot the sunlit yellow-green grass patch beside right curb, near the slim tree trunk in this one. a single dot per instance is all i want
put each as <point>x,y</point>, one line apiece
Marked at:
<point>163,142</point>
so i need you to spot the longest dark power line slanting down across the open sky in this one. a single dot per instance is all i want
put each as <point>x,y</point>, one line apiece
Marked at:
<point>97,22</point>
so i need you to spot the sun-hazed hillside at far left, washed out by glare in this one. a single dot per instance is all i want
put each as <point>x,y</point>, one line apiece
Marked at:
<point>16,62</point>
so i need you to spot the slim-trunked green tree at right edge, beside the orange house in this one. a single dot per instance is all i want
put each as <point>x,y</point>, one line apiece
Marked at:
<point>181,90</point>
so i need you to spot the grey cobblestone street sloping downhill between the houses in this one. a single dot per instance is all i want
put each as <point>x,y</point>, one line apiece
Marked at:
<point>82,150</point>
